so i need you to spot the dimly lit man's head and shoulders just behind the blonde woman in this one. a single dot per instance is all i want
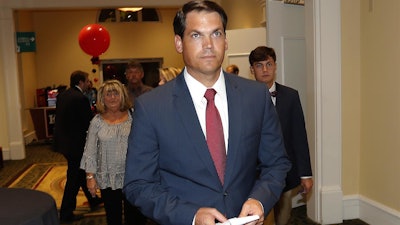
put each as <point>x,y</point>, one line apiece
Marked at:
<point>134,74</point>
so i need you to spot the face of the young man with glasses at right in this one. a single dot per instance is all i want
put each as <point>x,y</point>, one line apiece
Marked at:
<point>264,71</point>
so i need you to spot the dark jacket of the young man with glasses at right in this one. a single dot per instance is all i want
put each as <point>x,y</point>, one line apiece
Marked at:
<point>291,117</point>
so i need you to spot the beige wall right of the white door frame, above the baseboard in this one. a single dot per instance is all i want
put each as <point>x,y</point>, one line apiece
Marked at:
<point>370,98</point>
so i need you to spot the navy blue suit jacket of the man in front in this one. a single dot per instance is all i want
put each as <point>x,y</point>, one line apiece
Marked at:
<point>169,171</point>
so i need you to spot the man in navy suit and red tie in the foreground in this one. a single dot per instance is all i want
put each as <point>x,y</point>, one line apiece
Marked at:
<point>170,172</point>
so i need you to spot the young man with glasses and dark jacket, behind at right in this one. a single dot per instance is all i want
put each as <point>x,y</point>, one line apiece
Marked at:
<point>288,106</point>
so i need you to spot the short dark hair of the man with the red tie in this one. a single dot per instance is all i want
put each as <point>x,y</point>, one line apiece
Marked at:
<point>197,5</point>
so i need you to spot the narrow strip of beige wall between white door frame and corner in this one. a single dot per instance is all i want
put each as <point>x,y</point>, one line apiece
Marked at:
<point>351,108</point>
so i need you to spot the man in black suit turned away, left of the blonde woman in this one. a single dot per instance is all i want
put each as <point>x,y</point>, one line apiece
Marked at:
<point>73,115</point>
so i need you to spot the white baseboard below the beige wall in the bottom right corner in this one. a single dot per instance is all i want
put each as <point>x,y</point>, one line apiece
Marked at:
<point>369,211</point>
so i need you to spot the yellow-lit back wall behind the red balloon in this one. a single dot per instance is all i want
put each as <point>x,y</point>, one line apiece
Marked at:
<point>59,52</point>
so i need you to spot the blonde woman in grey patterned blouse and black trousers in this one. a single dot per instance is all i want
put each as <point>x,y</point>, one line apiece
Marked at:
<point>105,151</point>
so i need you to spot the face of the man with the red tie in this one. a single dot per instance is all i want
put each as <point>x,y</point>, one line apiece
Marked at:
<point>203,44</point>
